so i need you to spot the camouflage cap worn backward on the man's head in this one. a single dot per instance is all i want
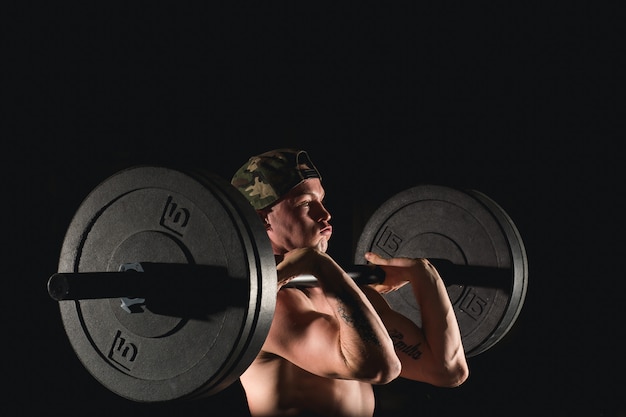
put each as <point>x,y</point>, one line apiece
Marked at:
<point>267,177</point>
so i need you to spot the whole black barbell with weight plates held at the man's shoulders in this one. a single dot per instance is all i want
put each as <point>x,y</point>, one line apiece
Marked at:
<point>166,282</point>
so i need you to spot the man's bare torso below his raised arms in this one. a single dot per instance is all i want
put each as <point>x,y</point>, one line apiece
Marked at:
<point>275,387</point>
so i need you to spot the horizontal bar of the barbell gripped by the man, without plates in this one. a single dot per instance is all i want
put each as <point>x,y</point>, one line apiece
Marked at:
<point>168,280</point>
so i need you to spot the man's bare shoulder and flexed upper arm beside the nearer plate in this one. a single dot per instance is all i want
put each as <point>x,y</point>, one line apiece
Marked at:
<point>323,340</point>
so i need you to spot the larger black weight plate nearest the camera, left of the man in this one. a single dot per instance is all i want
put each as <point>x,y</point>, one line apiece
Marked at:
<point>162,215</point>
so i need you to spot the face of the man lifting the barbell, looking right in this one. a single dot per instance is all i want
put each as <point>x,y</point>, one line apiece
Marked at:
<point>300,219</point>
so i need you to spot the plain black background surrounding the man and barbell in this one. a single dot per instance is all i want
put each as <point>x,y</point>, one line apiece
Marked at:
<point>520,102</point>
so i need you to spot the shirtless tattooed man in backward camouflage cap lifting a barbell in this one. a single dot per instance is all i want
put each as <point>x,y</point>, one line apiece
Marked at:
<point>327,345</point>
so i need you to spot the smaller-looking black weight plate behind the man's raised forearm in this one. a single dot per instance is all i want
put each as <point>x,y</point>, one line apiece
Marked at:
<point>468,229</point>
